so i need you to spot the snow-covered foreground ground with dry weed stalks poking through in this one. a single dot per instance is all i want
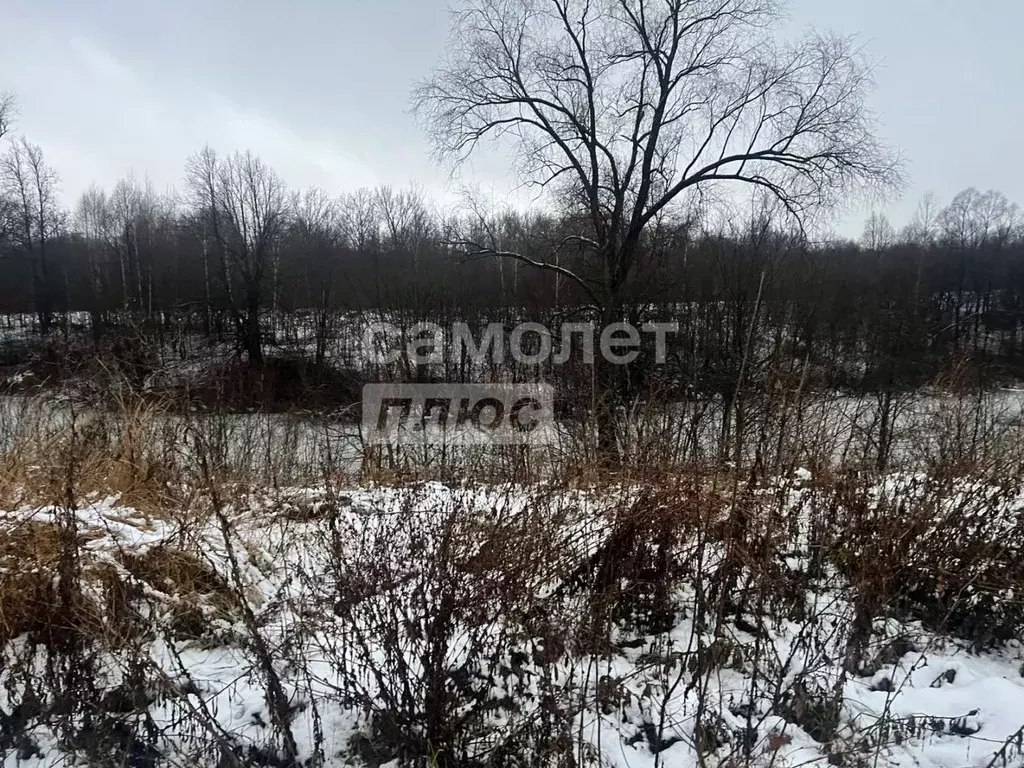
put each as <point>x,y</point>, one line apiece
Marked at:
<point>318,624</point>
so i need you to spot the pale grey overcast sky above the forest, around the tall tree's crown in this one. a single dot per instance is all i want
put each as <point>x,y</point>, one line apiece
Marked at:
<point>320,89</point>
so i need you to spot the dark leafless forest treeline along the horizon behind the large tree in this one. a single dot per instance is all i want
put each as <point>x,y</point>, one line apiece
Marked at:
<point>236,248</point>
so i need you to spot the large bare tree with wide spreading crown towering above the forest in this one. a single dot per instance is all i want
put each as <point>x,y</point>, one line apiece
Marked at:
<point>623,108</point>
